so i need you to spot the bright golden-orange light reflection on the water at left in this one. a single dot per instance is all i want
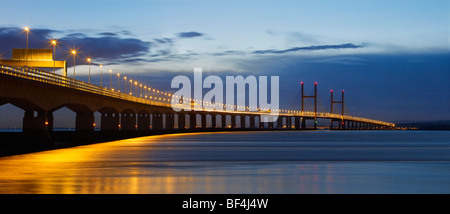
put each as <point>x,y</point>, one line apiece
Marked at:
<point>83,169</point>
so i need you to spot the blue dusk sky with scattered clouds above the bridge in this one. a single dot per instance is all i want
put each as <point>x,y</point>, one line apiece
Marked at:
<point>391,57</point>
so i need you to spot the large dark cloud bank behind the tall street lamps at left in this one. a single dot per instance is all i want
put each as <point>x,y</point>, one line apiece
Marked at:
<point>107,46</point>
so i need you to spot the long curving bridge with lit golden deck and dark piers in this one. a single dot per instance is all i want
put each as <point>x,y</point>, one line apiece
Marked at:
<point>39,93</point>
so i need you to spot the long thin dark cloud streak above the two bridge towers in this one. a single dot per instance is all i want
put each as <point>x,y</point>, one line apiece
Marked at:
<point>310,48</point>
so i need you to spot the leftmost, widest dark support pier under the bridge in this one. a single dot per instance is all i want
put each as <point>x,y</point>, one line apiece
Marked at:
<point>31,123</point>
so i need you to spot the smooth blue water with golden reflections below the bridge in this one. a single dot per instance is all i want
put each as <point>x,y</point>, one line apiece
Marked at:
<point>241,162</point>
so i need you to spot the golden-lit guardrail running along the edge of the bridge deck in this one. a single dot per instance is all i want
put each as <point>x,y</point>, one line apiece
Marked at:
<point>63,81</point>
